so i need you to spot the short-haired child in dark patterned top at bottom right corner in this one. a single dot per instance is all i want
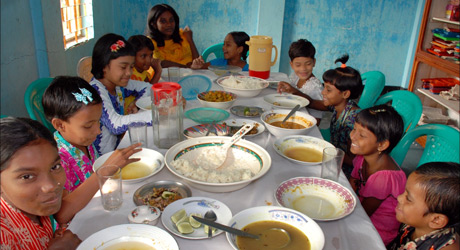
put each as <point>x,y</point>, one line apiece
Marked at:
<point>429,208</point>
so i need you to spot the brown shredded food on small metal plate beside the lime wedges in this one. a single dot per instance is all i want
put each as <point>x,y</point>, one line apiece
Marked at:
<point>161,197</point>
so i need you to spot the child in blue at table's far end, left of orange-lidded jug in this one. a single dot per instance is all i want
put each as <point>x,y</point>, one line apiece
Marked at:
<point>235,52</point>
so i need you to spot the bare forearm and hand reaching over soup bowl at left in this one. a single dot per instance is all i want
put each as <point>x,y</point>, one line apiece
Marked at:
<point>75,201</point>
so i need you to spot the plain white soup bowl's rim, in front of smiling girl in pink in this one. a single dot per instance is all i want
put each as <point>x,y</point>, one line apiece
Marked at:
<point>304,141</point>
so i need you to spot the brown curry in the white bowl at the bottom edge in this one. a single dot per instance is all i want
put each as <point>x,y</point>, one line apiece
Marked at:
<point>272,239</point>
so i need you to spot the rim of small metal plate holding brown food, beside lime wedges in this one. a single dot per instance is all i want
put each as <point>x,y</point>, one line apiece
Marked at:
<point>146,189</point>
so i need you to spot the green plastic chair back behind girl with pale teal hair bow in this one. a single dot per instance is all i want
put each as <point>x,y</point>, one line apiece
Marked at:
<point>33,101</point>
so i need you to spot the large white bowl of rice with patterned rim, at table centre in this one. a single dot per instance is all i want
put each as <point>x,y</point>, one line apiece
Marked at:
<point>248,162</point>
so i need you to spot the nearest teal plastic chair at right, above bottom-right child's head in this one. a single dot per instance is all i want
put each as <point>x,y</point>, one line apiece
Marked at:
<point>442,144</point>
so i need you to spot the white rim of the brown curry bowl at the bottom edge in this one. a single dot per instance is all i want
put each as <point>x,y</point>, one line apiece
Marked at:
<point>282,214</point>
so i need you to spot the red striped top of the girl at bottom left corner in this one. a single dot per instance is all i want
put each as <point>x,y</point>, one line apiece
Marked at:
<point>19,232</point>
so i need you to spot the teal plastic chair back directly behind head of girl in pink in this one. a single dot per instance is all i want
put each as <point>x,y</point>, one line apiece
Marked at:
<point>407,104</point>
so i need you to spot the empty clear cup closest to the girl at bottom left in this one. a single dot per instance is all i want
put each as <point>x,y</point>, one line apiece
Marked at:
<point>110,186</point>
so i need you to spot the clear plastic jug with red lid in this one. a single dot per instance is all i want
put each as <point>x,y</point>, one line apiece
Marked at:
<point>167,114</point>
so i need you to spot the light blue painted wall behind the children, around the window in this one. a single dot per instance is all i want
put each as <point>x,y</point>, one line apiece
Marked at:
<point>378,35</point>
